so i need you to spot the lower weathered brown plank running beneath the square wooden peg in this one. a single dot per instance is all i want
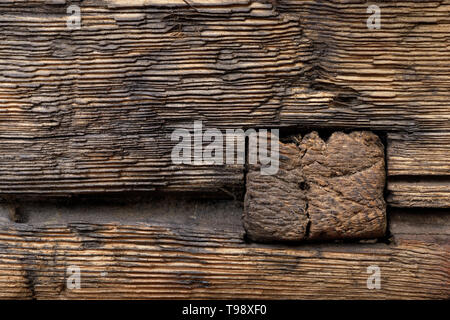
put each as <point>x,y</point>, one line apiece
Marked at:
<point>198,251</point>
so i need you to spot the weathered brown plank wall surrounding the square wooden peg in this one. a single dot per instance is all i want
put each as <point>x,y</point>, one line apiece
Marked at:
<point>92,111</point>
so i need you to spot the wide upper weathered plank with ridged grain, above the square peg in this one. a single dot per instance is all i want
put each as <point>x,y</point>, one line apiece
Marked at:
<point>91,110</point>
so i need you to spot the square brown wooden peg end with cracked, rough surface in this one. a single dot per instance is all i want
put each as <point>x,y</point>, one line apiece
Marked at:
<point>323,190</point>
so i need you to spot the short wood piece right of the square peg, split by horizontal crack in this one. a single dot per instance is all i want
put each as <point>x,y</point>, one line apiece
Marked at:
<point>419,169</point>
